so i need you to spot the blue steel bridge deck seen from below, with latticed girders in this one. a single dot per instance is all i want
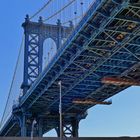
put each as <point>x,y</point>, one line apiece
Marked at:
<point>105,43</point>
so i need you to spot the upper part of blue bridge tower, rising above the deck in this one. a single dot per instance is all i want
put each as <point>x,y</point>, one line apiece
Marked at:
<point>35,35</point>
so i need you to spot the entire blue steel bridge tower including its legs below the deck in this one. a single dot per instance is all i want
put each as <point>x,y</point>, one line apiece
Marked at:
<point>35,35</point>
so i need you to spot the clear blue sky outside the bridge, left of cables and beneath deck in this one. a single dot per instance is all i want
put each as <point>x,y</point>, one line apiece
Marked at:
<point>122,118</point>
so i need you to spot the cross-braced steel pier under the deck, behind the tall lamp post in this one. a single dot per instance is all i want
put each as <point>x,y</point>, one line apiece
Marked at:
<point>69,130</point>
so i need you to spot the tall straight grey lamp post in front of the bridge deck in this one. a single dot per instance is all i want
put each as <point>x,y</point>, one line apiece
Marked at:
<point>60,108</point>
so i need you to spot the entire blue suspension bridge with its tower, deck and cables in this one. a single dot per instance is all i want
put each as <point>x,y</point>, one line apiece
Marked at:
<point>93,48</point>
